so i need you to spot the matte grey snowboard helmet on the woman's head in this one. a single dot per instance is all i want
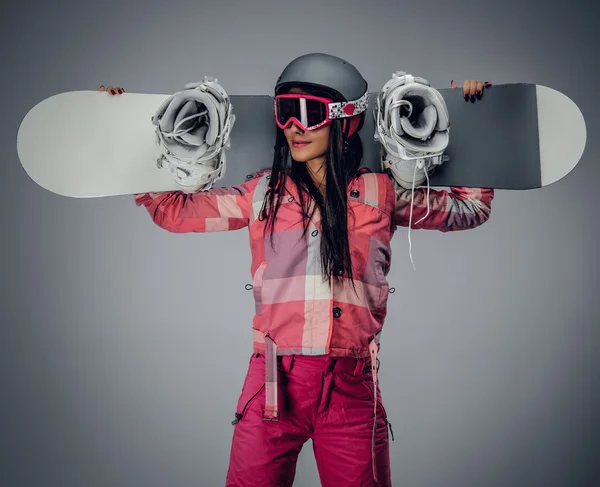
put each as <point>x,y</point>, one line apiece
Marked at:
<point>338,78</point>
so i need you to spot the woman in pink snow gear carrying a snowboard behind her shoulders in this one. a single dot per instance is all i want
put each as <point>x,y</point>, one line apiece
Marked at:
<point>320,229</point>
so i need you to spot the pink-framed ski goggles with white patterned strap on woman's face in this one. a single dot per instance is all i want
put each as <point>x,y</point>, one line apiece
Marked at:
<point>313,112</point>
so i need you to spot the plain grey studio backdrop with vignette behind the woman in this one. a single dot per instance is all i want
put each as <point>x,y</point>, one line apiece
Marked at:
<point>488,369</point>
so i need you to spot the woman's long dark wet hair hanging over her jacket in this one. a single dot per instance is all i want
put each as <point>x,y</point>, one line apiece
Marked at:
<point>343,161</point>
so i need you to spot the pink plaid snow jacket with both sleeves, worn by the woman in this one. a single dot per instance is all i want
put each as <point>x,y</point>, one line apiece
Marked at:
<point>294,307</point>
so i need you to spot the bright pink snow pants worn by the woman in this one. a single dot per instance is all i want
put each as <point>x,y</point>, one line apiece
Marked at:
<point>327,400</point>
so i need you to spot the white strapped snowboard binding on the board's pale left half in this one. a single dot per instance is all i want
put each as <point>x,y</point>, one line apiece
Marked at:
<point>193,127</point>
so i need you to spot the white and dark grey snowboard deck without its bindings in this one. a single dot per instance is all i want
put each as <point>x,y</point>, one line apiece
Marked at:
<point>86,144</point>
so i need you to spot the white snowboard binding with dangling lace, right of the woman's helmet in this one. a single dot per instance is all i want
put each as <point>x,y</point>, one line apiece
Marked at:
<point>412,124</point>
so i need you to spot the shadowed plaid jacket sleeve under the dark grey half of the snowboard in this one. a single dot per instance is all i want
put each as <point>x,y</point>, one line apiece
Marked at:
<point>457,209</point>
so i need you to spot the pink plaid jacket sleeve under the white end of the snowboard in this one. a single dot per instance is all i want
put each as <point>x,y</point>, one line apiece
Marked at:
<point>214,210</point>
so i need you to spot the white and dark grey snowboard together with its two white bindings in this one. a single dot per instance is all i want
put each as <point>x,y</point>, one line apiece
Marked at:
<point>89,144</point>
